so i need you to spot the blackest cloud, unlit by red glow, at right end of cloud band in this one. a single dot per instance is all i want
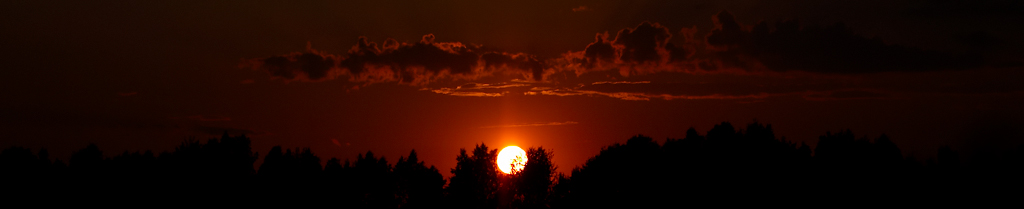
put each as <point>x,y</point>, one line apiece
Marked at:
<point>834,50</point>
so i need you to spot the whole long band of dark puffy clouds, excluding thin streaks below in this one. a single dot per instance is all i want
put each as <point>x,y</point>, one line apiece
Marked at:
<point>648,49</point>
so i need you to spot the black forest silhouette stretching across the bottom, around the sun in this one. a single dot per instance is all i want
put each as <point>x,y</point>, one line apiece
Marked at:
<point>724,166</point>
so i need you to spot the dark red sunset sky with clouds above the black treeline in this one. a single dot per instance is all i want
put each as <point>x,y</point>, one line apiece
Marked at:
<point>347,77</point>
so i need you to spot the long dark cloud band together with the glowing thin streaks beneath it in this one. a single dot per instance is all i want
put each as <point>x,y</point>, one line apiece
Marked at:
<point>636,63</point>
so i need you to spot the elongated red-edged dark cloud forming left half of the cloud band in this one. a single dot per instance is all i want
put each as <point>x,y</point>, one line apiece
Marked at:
<point>415,64</point>
